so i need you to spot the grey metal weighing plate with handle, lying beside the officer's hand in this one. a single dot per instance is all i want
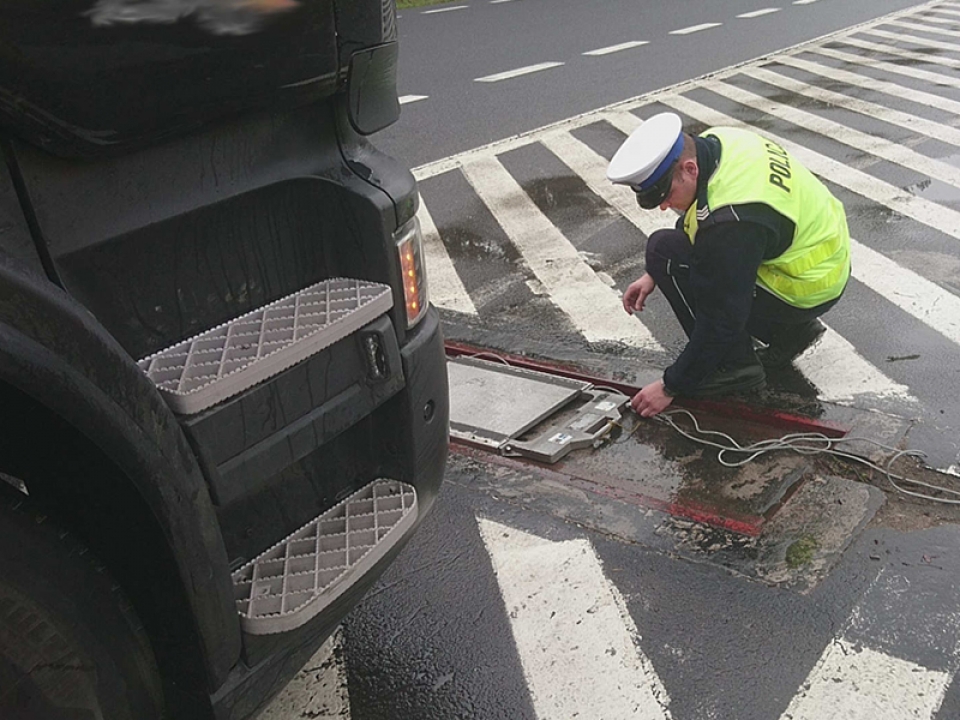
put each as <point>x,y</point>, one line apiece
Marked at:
<point>525,412</point>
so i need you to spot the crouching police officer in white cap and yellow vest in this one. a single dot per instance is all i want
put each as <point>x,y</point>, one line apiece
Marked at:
<point>761,250</point>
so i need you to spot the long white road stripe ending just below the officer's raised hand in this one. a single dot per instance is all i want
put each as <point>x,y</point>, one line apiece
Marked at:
<point>594,308</point>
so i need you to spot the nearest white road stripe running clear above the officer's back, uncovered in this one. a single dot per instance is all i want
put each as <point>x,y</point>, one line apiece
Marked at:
<point>873,144</point>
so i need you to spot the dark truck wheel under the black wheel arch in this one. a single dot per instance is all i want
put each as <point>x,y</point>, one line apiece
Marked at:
<point>71,647</point>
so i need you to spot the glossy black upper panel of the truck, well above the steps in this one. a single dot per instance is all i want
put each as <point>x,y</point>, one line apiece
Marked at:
<point>84,77</point>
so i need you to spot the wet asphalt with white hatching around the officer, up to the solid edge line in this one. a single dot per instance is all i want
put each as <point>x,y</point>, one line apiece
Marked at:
<point>642,579</point>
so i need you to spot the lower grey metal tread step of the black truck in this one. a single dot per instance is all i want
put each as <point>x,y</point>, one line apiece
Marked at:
<point>287,585</point>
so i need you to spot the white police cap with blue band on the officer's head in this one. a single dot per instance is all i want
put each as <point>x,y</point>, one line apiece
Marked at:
<point>648,153</point>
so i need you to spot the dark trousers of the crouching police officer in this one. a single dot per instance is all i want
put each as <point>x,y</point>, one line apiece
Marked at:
<point>669,253</point>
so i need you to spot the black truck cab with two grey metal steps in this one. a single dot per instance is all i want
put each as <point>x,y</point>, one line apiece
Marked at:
<point>223,398</point>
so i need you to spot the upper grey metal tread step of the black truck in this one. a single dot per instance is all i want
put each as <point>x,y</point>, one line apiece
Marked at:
<point>208,368</point>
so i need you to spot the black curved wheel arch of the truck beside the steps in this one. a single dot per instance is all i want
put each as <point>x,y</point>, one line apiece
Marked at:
<point>67,388</point>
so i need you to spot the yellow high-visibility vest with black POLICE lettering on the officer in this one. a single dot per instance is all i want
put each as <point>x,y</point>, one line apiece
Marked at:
<point>752,169</point>
